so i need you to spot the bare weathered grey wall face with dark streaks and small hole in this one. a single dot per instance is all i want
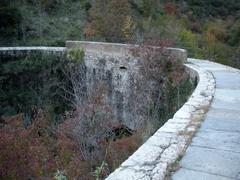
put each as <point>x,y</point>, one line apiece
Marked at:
<point>112,64</point>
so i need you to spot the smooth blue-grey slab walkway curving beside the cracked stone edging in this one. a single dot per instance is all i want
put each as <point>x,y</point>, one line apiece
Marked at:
<point>214,153</point>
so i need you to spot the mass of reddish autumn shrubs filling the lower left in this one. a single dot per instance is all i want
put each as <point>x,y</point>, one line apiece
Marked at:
<point>40,150</point>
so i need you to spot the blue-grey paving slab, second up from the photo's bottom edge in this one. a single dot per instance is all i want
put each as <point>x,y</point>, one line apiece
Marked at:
<point>211,161</point>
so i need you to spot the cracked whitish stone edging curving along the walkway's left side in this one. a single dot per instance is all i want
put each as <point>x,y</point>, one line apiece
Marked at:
<point>160,154</point>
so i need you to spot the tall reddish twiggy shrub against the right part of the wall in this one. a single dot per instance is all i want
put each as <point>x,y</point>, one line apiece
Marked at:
<point>158,70</point>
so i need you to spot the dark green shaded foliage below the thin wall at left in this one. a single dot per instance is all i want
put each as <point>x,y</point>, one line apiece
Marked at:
<point>30,82</point>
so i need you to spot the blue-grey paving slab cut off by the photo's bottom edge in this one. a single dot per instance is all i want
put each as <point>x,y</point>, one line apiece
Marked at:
<point>187,174</point>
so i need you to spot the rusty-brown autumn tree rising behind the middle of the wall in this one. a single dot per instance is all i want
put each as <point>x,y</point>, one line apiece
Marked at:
<point>110,19</point>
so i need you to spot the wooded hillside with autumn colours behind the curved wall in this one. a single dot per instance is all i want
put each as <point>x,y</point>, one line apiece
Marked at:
<point>208,29</point>
